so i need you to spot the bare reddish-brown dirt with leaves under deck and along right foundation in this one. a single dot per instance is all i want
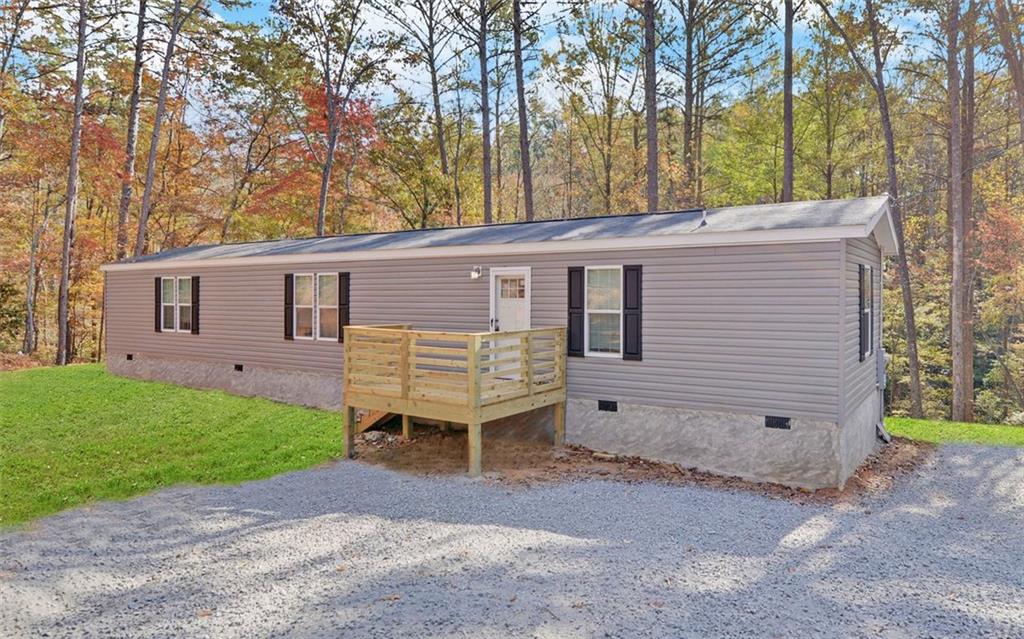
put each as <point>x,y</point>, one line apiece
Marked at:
<point>516,462</point>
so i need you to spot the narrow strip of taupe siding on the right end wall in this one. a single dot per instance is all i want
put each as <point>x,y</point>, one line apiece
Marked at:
<point>860,377</point>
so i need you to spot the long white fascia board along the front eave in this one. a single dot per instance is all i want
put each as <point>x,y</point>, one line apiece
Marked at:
<point>706,239</point>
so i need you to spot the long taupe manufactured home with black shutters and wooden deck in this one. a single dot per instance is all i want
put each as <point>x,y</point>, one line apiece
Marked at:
<point>743,340</point>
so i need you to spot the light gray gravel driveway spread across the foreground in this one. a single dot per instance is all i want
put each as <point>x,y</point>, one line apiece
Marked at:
<point>357,551</point>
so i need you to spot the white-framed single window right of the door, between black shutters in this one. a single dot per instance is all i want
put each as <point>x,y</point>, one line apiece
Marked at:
<point>604,312</point>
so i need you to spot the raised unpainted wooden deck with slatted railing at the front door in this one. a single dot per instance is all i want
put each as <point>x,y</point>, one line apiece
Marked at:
<point>467,378</point>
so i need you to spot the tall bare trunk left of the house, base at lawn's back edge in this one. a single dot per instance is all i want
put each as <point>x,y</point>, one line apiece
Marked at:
<point>71,202</point>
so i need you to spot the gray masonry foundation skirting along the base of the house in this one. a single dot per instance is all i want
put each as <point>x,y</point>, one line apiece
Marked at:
<point>813,454</point>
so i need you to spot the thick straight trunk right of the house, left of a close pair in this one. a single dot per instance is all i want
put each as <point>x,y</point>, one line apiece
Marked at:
<point>956,214</point>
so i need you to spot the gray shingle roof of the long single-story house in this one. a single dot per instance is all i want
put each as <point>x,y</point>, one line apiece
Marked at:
<point>796,216</point>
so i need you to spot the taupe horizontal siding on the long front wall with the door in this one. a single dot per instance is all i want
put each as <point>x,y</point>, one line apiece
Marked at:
<point>752,329</point>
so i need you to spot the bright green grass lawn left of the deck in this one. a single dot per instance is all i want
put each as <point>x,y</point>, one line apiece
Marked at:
<point>75,435</point>
